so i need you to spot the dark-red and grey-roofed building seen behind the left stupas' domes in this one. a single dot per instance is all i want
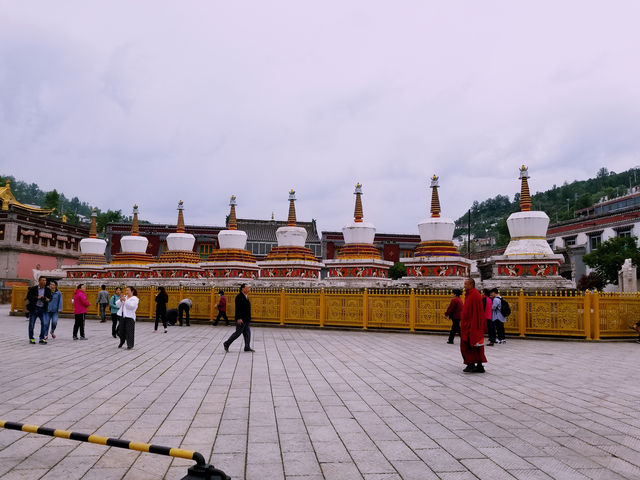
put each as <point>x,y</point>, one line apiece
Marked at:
<point>261,237</point>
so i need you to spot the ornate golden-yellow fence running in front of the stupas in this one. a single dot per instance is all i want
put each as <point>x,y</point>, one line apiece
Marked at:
<point>571,314</point>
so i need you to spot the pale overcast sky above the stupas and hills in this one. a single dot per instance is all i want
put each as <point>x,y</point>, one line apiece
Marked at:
<point>152,102</point>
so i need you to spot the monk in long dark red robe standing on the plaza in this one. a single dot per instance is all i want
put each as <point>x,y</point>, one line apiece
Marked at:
<point>473,326</point>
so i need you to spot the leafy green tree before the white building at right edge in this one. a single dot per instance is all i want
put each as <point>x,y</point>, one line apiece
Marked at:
<point>608,258</point>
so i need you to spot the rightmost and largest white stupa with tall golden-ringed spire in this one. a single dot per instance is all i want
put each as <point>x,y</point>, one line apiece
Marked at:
<point>528,261</point>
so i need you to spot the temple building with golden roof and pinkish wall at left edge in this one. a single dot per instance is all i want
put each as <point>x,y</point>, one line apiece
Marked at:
<point>30,239</point>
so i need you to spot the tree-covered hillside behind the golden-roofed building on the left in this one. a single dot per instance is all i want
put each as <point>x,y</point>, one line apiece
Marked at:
<point>75,211</point>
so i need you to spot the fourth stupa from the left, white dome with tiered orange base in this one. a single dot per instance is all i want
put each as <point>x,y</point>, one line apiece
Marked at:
<point>232,261</point>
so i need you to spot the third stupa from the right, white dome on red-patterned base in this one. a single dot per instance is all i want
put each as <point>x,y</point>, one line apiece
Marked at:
<point>359,262</point>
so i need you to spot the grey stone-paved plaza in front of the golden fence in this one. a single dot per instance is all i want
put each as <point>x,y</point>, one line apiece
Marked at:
<point>311,404</point>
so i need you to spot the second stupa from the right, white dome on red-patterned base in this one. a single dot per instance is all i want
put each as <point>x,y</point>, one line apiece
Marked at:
<point>436,262</point>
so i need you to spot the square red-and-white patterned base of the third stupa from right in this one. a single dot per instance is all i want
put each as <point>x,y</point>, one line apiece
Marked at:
<point>357,273</point>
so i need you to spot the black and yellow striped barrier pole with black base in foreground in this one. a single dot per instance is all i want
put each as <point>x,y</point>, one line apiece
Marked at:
<point>200,470</point>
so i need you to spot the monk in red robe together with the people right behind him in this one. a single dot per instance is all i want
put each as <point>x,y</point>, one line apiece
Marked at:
<point>471,319</point>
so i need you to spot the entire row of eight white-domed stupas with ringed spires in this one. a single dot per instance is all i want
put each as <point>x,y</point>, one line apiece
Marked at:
<point>527,262</point>
